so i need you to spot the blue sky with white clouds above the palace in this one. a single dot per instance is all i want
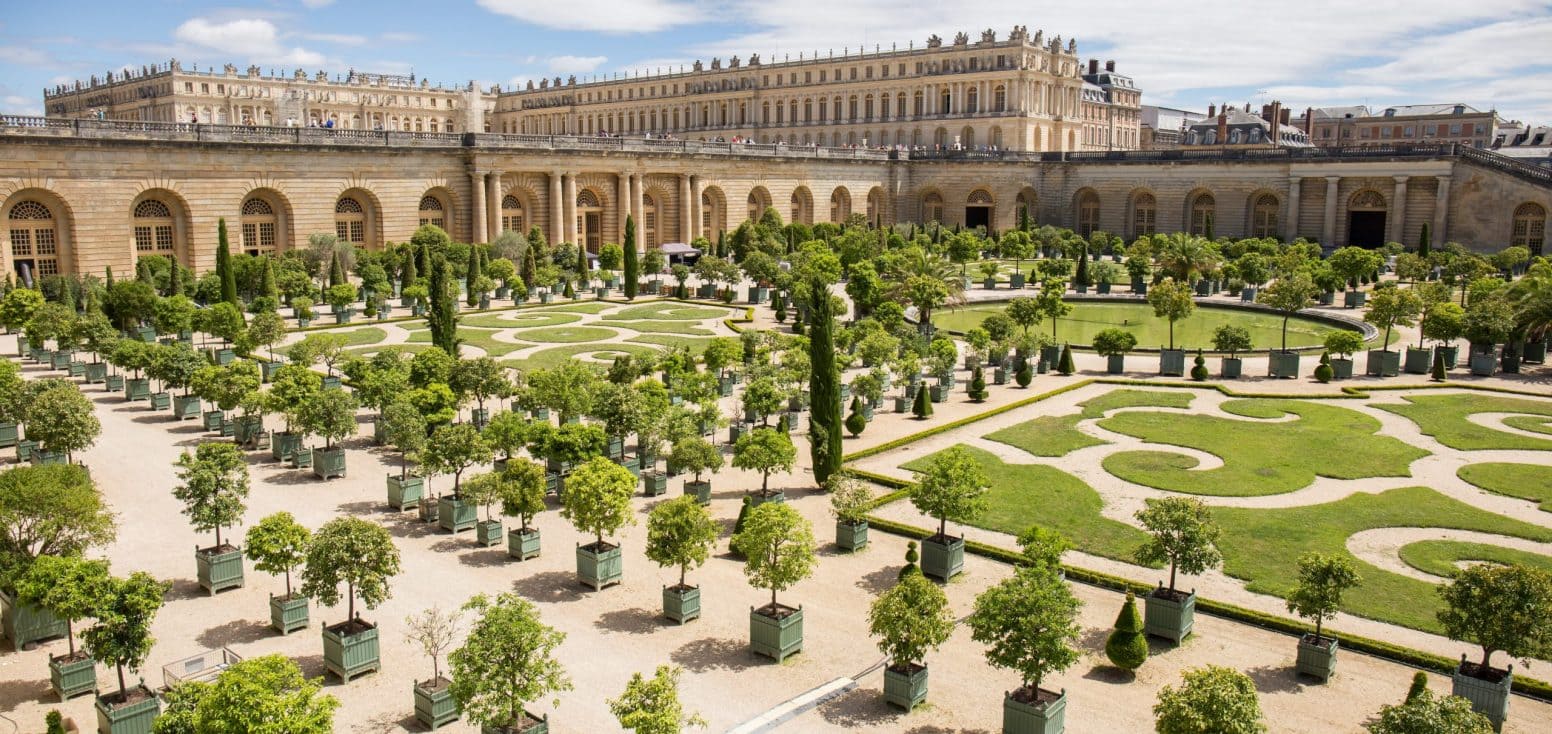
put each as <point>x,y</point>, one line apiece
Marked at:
<point>1183,55</point>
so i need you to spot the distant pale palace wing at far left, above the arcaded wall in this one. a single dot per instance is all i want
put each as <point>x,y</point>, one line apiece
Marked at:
<point>361,102</point>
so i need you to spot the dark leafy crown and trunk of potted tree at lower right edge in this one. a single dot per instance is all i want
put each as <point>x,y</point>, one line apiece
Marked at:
<point>1500,609</point>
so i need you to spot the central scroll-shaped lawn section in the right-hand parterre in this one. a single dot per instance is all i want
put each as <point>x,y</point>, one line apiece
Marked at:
<point>1259,459</point>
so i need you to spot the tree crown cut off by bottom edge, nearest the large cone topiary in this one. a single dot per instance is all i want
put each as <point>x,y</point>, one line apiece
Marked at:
<point>1211,701</point>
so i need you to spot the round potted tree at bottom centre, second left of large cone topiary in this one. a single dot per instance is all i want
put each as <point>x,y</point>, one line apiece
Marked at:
<point>910,620</point>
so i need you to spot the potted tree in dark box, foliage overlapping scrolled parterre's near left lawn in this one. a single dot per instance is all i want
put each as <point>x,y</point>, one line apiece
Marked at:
<point>952,488</point>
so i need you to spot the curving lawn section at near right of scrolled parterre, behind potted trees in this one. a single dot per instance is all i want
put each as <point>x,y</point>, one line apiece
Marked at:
<point>1264,545</point>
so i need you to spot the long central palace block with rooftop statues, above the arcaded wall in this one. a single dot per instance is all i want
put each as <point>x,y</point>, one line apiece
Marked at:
<point>1017,94</point>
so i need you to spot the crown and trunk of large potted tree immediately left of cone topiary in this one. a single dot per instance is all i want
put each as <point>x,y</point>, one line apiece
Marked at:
<point>1030,625</point>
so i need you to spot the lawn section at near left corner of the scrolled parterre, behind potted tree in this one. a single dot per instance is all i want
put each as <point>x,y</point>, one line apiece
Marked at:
<point>1034,494</point>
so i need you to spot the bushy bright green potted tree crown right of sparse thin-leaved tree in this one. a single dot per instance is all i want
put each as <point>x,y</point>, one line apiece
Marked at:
<point>505,663</point>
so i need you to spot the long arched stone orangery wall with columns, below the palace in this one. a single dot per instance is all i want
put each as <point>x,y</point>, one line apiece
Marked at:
<point>80,196</point>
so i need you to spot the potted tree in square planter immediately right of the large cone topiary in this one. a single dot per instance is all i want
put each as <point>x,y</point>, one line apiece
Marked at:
<point>1183,536</point>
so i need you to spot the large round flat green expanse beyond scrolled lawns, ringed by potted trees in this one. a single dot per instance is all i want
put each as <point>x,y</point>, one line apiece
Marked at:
<point>1089,319</point>
